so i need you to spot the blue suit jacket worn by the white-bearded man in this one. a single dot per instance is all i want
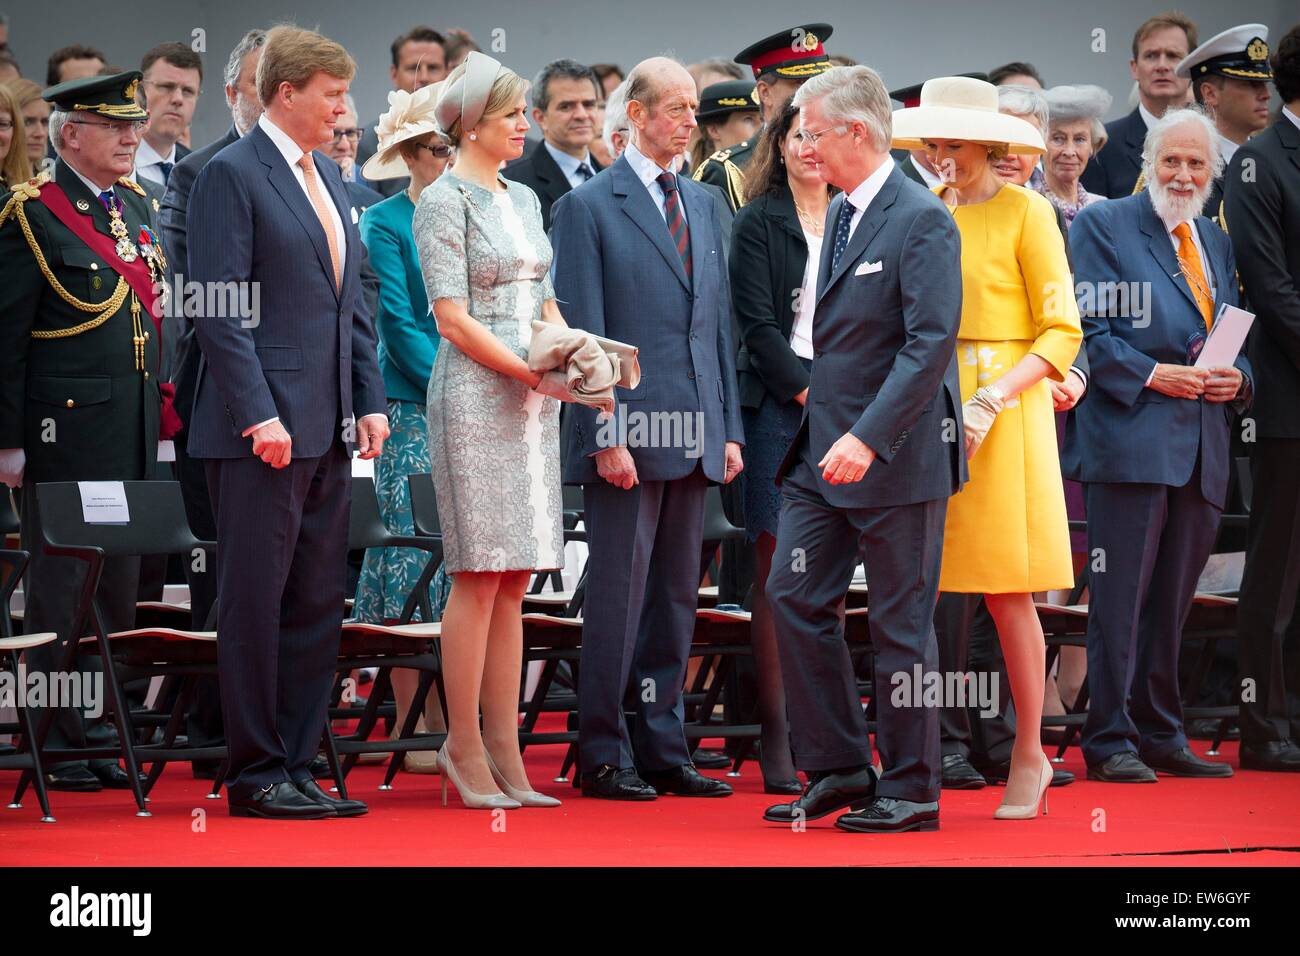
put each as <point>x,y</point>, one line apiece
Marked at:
<point>1126,432</point>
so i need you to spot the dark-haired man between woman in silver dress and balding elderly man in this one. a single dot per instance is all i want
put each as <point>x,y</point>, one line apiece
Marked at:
<point>566,103</point>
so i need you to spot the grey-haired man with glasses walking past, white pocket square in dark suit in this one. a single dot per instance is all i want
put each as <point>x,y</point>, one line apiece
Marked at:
<point>872,470</point>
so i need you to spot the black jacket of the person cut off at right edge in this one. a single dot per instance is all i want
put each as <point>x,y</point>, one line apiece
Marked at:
<point>1263,217</point>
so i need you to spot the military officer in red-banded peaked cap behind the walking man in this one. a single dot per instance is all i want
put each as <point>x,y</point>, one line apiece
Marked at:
<point>781,64</point>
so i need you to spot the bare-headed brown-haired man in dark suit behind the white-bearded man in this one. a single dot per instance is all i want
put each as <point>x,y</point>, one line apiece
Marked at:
<point>1160,45</point>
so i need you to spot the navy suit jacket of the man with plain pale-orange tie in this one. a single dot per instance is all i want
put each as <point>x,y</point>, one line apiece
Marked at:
<point>310,358</point>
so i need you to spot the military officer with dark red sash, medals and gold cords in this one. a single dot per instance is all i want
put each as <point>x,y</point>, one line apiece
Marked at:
<point>80,390</point>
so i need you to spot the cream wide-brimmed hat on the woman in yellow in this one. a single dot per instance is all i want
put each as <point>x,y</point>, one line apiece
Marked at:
<point>963,109</point>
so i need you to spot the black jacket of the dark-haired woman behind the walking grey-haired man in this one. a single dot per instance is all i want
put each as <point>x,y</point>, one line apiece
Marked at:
<point>768,263</point>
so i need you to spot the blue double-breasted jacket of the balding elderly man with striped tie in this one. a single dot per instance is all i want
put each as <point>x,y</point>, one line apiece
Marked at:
<point>617,274</point>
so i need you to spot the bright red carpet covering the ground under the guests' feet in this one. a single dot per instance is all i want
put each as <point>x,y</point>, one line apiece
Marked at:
<point>1171,824</point>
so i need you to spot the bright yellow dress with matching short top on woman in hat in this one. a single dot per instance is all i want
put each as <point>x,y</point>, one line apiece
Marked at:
<point>1007,530</point>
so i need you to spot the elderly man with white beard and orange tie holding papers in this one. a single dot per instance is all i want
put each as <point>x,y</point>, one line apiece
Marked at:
<point>1151,444</point>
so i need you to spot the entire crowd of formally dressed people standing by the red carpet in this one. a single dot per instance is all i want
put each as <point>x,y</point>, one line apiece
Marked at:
<point>918,330</point>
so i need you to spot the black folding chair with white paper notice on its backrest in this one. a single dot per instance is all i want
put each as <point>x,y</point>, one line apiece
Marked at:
<point>157,526</point>
